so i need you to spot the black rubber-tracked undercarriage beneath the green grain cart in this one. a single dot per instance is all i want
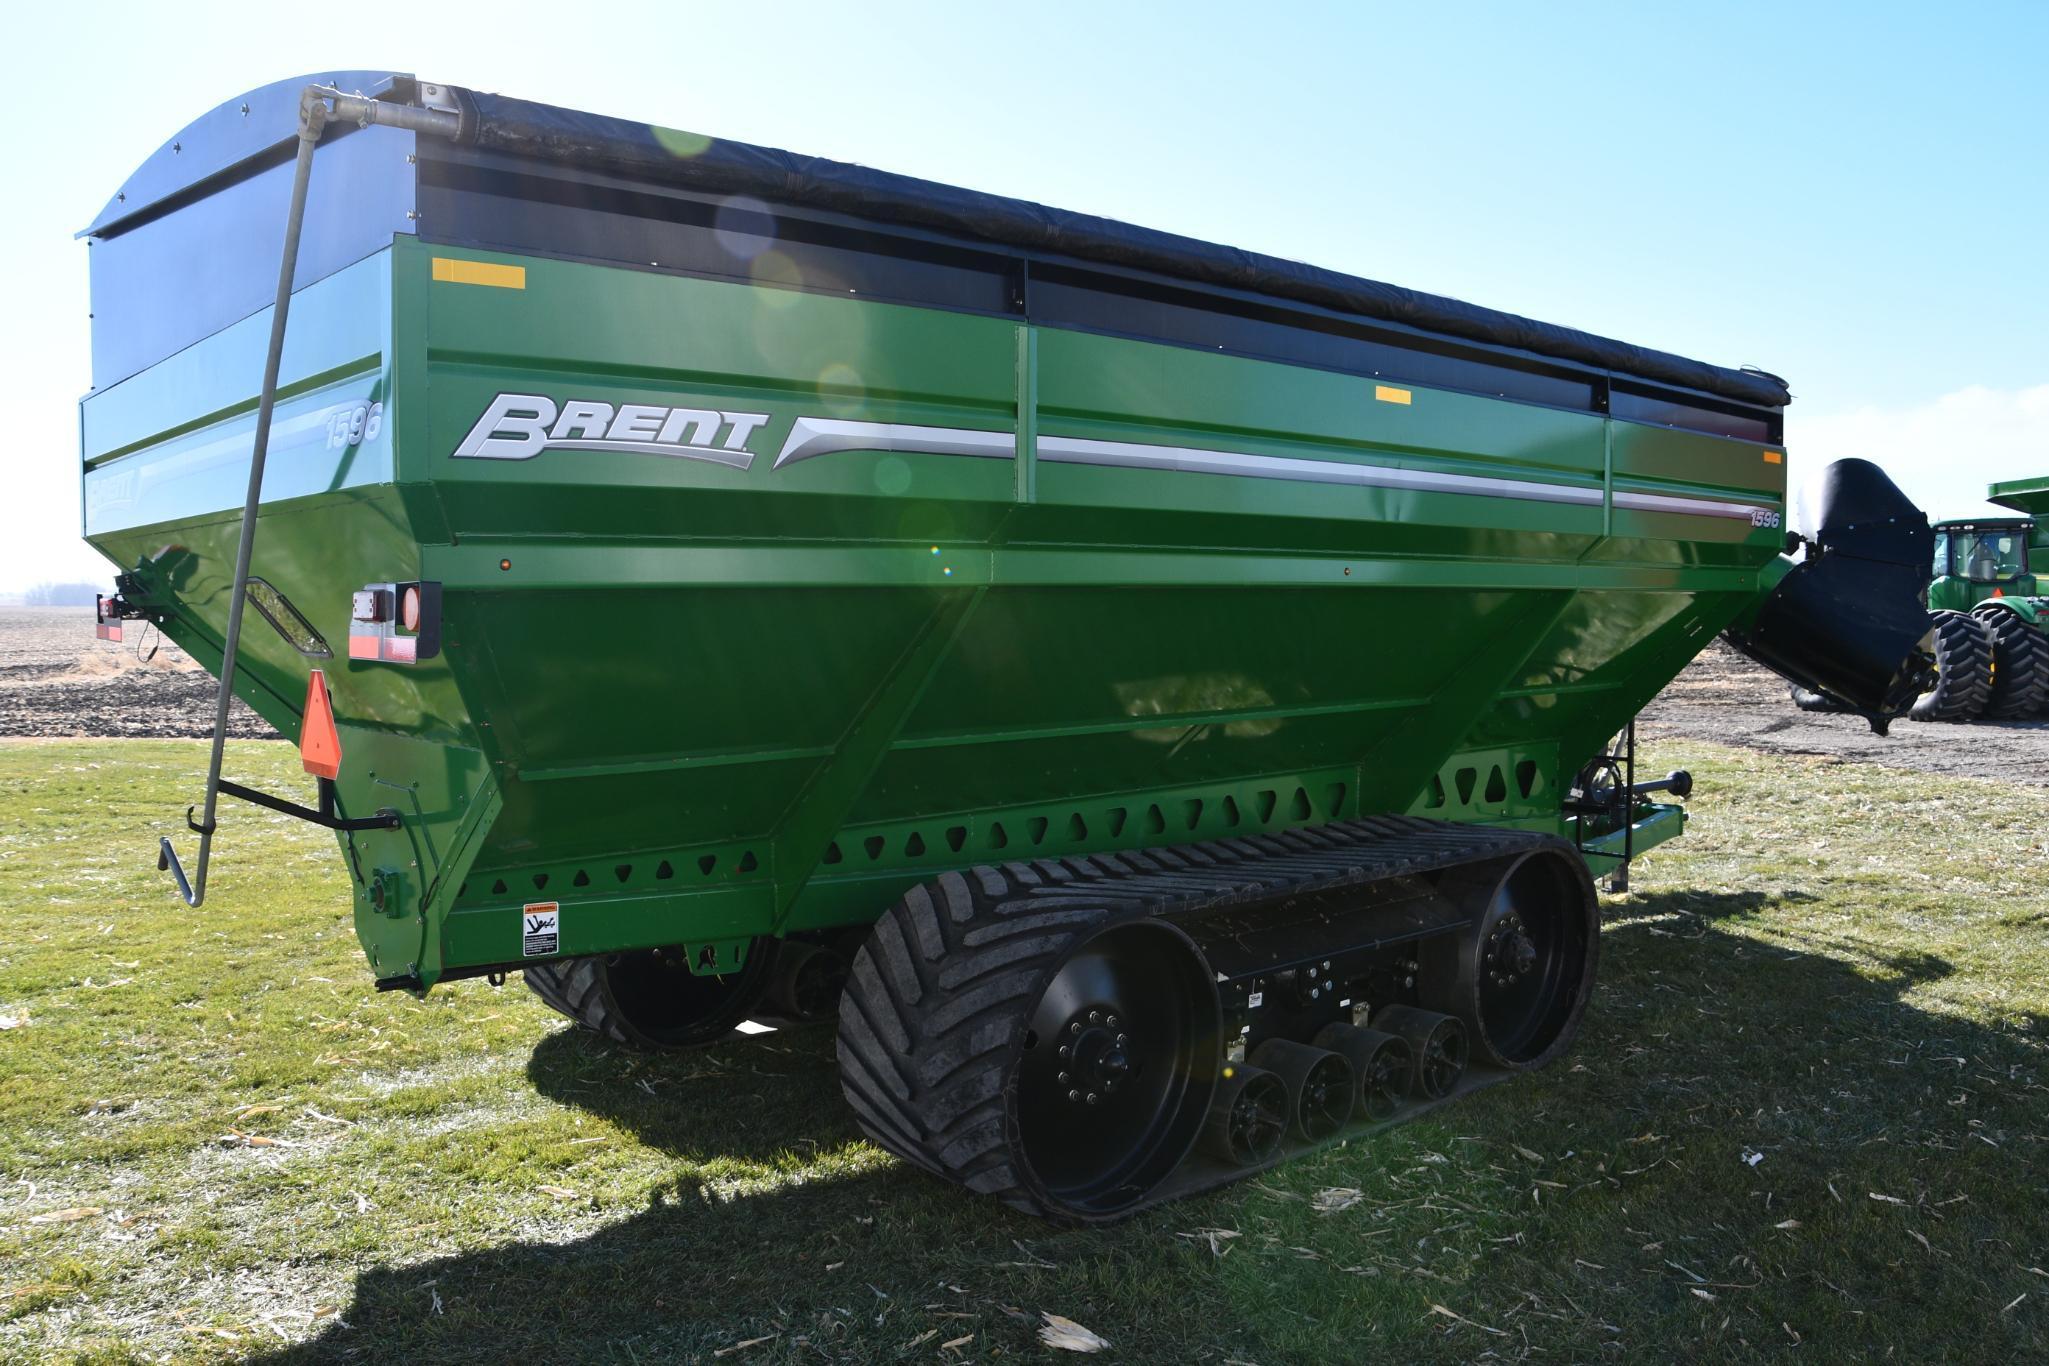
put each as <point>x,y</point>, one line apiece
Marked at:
<point>1087,1037</point>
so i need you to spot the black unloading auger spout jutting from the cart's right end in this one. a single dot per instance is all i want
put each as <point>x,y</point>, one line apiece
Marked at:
<point>1851,622</point>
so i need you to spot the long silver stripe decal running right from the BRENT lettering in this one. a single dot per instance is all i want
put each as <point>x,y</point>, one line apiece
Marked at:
<point>812,437</point>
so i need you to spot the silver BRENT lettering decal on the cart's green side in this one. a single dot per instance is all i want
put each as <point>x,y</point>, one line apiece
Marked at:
<point>519,427</point>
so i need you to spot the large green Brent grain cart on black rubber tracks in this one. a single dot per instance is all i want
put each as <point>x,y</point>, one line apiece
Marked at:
<point>1173,689</point>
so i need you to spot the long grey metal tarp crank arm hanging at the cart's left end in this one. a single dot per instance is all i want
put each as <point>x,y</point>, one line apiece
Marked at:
<point>317,110</point>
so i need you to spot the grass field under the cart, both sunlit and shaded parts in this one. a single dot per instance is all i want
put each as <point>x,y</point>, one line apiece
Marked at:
<point>1808,1117</point>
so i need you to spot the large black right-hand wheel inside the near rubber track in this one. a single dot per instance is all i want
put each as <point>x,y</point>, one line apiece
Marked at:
<point>1521,976</point>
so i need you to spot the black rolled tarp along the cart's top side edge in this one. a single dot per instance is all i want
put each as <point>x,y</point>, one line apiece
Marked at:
<point>718,167</point>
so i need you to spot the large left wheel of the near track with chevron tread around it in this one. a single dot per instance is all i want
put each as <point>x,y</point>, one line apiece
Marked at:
<point>1054,1056</point>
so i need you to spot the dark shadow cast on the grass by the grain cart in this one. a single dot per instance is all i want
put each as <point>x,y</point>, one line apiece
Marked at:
<point>1698,1031</point>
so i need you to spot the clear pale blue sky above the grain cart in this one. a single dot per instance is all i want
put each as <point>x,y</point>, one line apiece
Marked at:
<point>1853,198</point>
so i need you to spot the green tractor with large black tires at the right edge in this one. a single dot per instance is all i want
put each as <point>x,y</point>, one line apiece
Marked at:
<point>1993,658</point>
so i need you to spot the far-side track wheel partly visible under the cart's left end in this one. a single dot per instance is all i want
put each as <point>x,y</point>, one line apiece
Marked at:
<point>651,998</point>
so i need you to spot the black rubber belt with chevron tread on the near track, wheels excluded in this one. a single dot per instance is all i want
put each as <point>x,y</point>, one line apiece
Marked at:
<point>939,996</point>
